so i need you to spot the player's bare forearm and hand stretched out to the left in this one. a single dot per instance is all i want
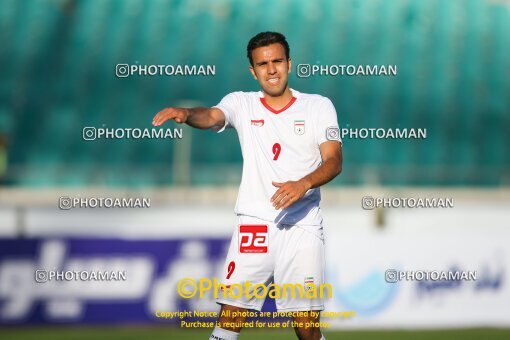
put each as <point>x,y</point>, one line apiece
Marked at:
<point>197,117</point>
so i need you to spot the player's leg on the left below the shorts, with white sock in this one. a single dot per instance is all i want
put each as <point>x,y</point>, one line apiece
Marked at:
<point>229,323</point>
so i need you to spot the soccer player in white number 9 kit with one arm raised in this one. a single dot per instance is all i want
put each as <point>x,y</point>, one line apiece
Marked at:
<point>291,146</point>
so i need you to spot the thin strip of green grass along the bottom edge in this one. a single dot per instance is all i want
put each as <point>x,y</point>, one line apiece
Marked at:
<point>164,333</point>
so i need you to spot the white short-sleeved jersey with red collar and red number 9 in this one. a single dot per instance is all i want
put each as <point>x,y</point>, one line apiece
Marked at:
<point>279,146</point>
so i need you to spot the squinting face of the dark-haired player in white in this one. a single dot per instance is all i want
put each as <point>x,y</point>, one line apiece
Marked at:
<point>271,68</point>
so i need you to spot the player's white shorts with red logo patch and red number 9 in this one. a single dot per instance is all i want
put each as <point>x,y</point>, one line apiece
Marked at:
<point>261,252</point>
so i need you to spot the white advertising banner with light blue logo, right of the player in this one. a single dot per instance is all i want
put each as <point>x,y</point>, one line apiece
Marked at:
<point>457,279</point>
